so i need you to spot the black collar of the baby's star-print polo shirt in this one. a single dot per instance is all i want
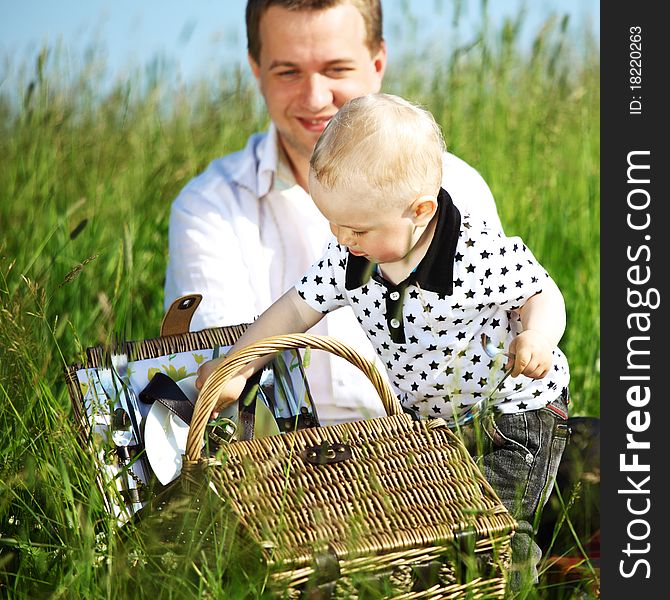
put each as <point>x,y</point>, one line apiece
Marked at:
<point>435,272</point>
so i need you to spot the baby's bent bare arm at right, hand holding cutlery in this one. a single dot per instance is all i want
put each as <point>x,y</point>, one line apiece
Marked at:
<point>543,320</point>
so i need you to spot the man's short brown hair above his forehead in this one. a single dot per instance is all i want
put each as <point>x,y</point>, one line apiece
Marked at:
<point>370,10</point>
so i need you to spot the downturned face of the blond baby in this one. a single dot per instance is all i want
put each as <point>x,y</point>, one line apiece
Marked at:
<point>382,235</point>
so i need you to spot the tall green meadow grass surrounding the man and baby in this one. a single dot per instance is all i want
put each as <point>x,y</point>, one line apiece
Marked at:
<point>85,188</point>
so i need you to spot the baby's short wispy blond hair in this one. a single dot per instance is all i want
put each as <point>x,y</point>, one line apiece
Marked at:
<point>392,145</point>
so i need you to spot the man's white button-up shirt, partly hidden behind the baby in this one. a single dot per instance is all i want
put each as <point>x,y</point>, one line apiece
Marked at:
<point>243,232</point>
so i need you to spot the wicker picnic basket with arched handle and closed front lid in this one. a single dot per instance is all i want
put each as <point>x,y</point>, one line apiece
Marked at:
<point>391,499</point>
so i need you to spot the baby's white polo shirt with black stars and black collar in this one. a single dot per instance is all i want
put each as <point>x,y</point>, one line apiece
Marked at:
<point>427,329</point>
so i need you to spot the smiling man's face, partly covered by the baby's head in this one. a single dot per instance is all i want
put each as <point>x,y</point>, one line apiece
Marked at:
<point>311,63</point>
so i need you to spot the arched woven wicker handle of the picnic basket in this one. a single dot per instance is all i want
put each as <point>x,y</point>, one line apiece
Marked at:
<point>210,391</point>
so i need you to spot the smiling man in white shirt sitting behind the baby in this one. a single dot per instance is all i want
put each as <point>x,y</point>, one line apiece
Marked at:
<point>245,230</point>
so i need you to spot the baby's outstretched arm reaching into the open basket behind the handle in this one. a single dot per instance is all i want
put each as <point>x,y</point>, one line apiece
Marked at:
<point>289,314</point>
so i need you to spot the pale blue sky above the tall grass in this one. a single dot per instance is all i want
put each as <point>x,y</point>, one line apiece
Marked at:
<point>192,36</point>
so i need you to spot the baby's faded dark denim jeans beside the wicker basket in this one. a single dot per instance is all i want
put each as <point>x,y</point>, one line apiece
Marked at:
<point>519,455</point>
